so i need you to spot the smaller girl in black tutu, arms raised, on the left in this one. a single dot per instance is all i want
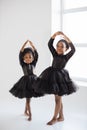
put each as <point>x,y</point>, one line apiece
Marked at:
<point>28,57</point>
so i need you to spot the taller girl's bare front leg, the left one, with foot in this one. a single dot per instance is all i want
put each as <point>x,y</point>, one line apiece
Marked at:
<point>58,102</point>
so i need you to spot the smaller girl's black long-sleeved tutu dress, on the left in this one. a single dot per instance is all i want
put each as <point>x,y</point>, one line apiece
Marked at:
<point>23,87</point>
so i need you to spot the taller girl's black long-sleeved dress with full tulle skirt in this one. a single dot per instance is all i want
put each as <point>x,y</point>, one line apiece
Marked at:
<point>55,79</point>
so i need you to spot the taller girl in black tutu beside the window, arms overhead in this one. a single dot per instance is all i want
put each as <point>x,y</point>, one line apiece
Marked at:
<point>55,79</point>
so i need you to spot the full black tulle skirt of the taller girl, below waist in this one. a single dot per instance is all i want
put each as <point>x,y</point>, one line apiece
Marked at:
<point>54,81</point>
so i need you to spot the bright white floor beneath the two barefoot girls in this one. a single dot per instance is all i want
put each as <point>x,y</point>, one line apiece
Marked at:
<point>75,112</point>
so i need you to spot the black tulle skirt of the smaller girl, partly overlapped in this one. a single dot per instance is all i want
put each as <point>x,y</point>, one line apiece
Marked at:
<point>23,87</point>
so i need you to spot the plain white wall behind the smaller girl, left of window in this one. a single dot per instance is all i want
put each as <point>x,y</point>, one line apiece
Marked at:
<point>21,20</point>
